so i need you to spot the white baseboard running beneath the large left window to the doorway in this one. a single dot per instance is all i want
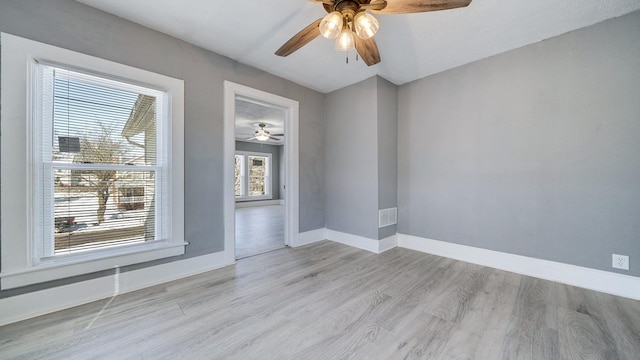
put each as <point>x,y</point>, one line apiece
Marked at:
<point>21,307</point>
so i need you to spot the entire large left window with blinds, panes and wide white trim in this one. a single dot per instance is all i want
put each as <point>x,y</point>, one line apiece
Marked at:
<point>102,169</point>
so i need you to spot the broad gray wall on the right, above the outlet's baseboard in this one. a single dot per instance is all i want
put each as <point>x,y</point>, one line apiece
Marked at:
<point>532,152</point>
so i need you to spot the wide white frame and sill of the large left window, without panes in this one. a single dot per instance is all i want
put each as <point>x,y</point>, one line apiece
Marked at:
<point>21,259</point>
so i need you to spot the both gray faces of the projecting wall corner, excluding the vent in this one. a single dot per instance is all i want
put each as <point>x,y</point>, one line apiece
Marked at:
<point>361,157</point>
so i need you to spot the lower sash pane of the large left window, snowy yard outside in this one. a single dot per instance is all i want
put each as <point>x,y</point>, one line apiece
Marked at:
<point>102,208</point>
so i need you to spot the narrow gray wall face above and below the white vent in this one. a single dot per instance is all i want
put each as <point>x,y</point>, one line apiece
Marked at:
<point>387,150</point>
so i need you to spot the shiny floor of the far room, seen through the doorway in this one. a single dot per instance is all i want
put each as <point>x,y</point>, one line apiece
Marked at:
<point>259,229</point>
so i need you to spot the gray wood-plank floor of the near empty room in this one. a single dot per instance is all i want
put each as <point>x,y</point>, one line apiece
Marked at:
<point>330,301</point>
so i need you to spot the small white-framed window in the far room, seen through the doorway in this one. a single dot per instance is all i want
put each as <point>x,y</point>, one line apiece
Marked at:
<point>252,176</point>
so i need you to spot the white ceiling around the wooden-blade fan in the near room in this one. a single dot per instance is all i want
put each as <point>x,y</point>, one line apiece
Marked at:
<point>412,46</point>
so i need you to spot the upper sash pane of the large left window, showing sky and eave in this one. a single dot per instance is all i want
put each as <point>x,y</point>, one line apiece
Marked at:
<point>101,121</point>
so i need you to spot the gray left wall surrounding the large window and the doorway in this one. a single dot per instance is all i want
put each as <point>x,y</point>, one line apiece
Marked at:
<point>77,27</point>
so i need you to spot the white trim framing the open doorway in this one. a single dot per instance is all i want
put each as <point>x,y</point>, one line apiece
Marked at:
<point>291,155</point>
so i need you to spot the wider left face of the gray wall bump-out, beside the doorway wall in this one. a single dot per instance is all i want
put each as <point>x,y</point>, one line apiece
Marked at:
<point>351,167</point>
